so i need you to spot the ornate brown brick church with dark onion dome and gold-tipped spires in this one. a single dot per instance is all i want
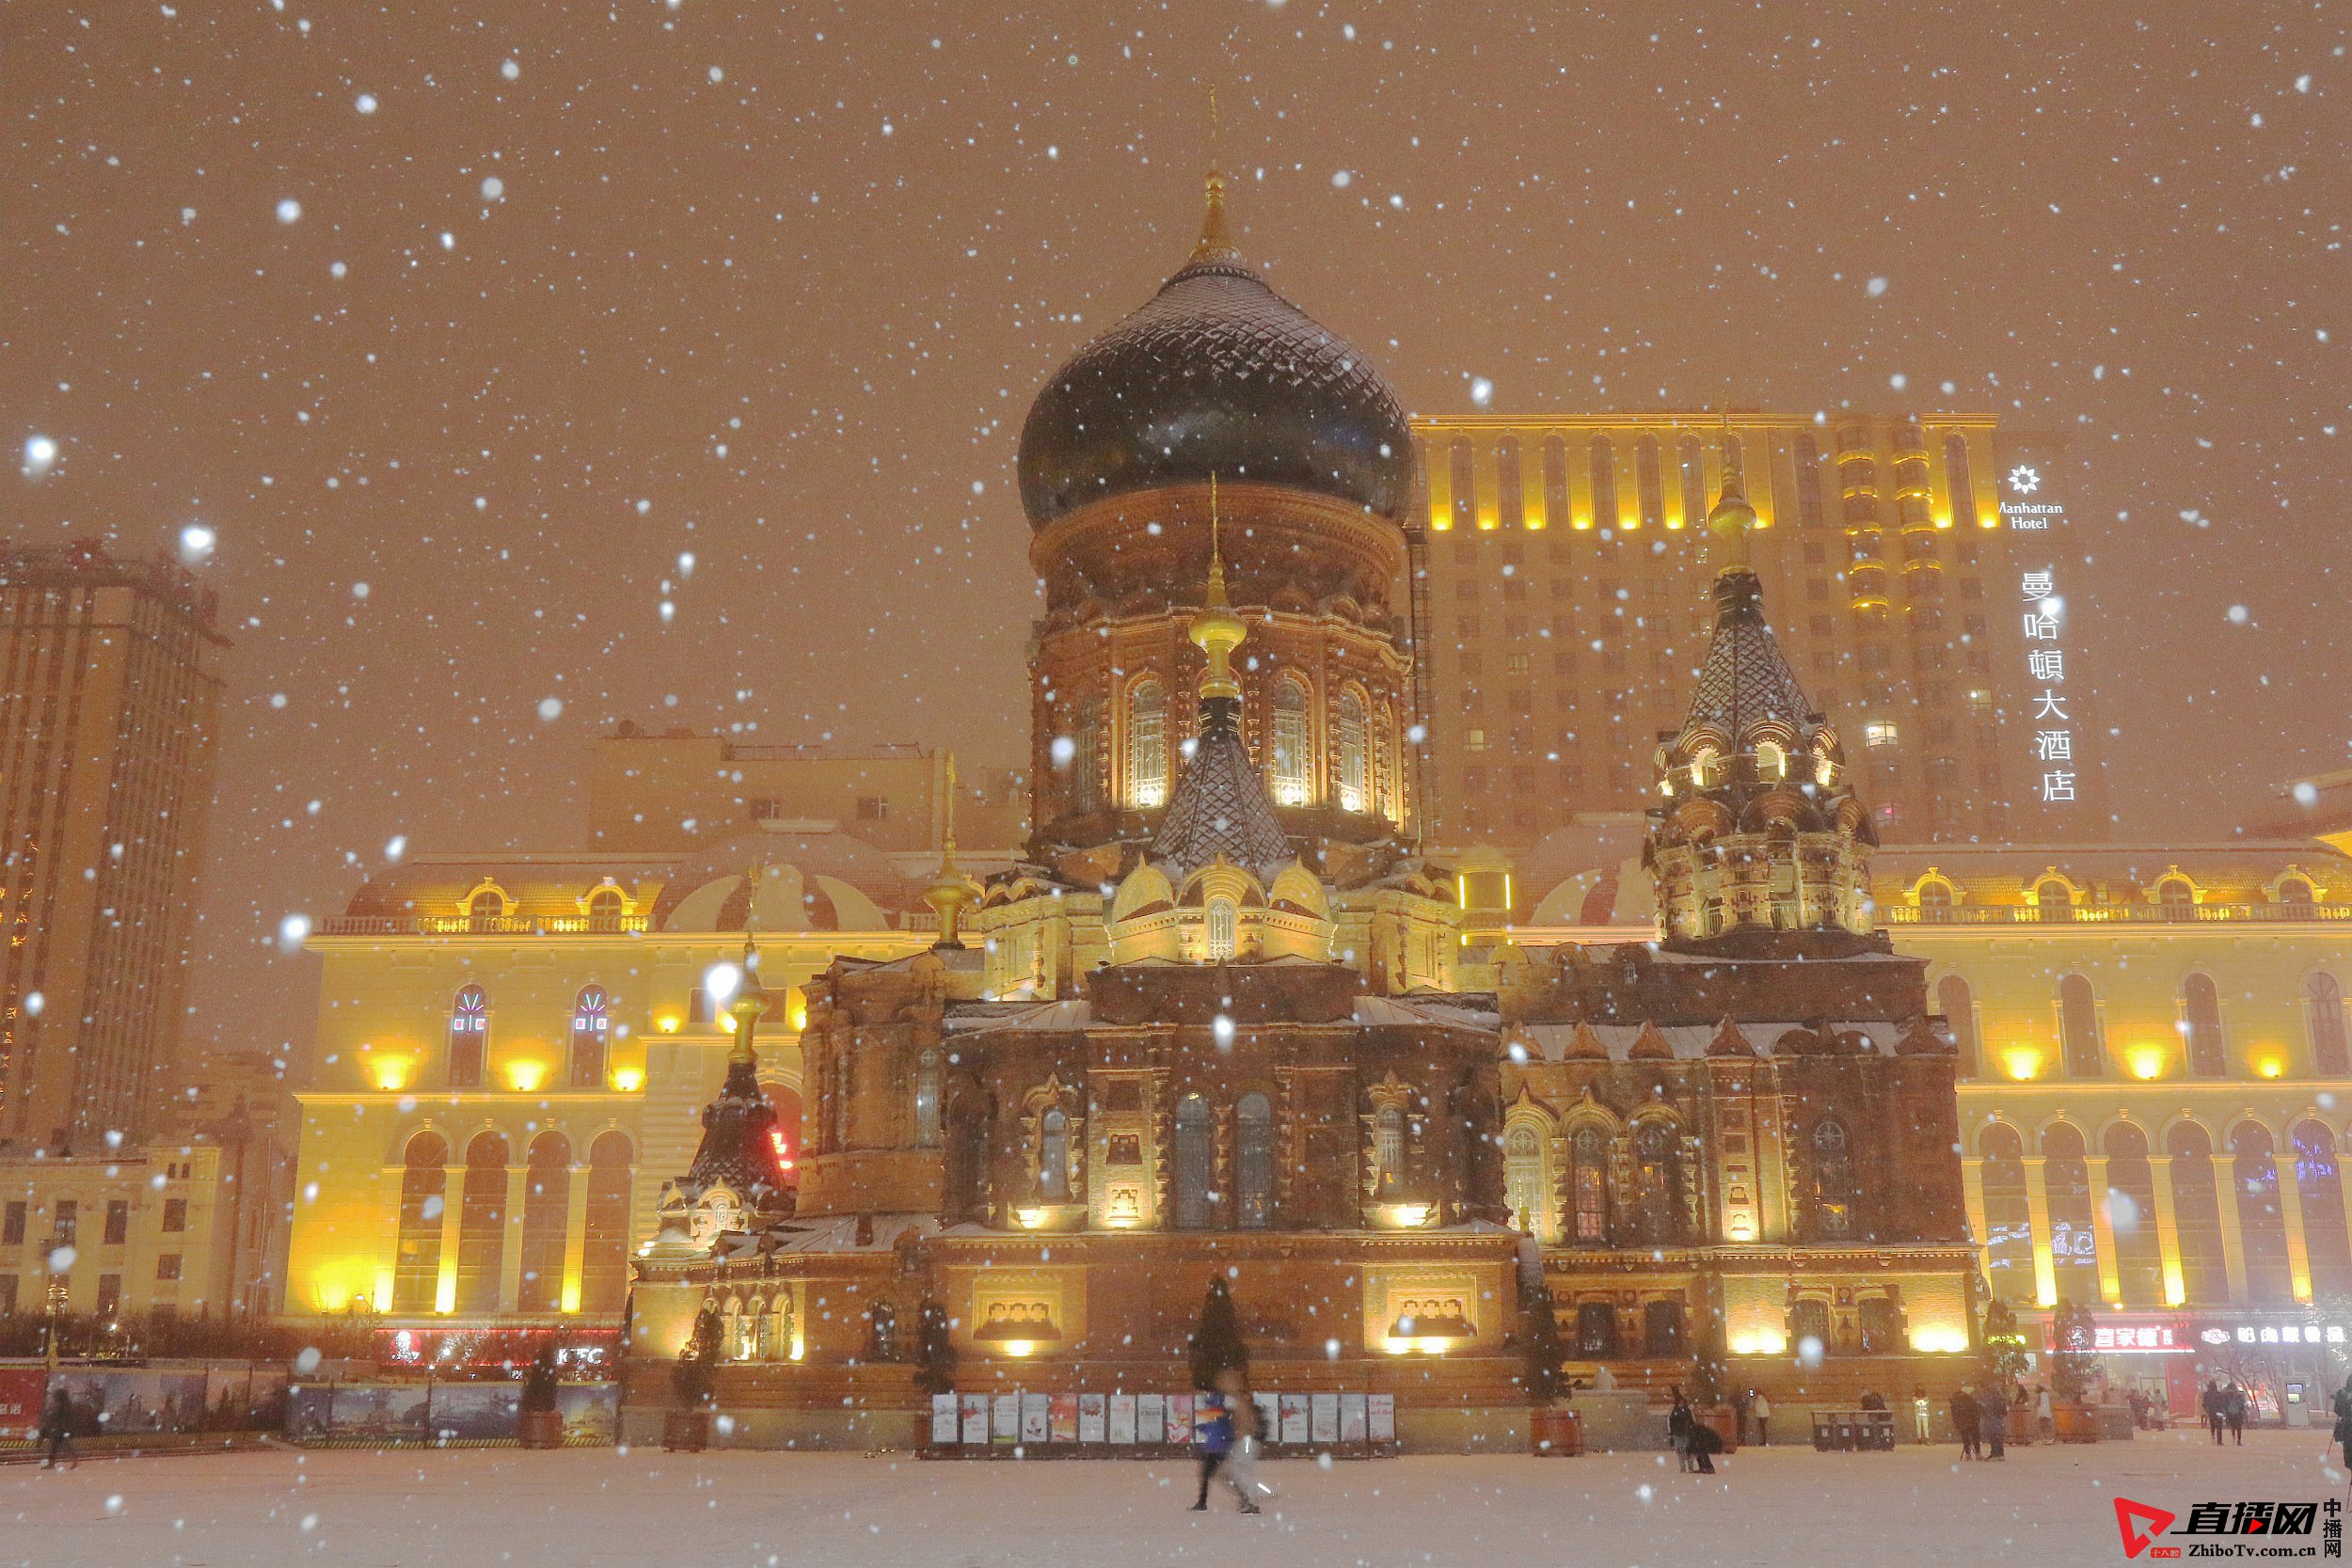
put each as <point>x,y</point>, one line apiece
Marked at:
<point>1229,1026</point>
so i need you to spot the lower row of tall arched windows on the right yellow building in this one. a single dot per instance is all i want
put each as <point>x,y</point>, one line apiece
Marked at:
<point>2198,1200</point>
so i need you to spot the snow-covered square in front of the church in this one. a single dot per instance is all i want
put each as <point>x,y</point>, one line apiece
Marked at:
<point>594,1508</point>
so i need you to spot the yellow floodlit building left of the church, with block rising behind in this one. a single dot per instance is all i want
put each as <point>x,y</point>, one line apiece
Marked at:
<point>514,1052</point>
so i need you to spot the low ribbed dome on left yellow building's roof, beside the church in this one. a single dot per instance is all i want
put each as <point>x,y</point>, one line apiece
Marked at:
<point>787,876</point>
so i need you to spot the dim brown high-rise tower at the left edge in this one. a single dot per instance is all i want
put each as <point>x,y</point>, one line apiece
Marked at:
<point>109,695</point>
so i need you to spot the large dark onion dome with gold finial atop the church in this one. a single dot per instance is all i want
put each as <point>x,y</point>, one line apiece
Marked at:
<point>1215,377</point>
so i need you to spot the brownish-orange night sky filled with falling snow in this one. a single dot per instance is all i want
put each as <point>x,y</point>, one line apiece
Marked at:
<point>460,326</point>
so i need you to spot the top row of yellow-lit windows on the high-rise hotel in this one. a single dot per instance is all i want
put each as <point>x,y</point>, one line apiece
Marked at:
<point>1650,483</point>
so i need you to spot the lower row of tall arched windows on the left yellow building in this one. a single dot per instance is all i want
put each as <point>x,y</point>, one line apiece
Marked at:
<point>481,1238</point>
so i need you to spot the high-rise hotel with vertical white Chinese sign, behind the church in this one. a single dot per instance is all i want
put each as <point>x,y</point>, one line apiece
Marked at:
<point>1911,572</point>
